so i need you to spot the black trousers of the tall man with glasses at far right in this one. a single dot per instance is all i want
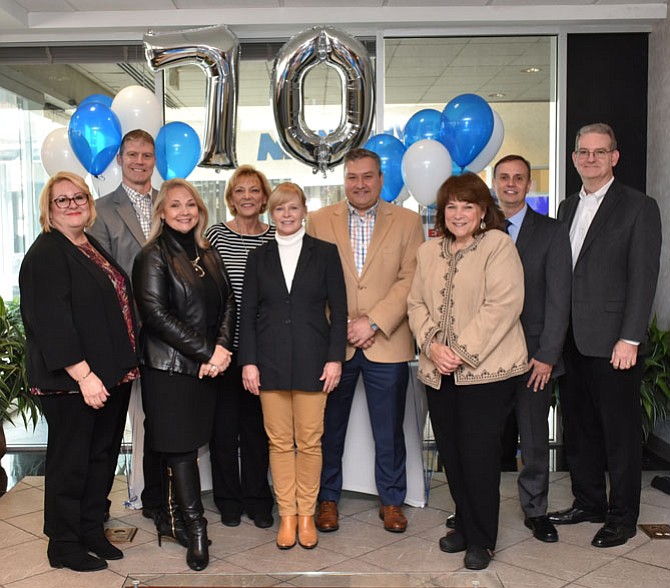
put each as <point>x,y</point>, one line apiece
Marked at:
<point>602,432</point>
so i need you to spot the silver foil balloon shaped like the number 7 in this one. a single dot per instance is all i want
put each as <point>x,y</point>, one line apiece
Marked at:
<point>216,51</point>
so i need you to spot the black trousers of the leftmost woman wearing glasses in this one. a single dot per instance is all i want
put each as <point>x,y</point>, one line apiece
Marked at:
<point>82,443</point>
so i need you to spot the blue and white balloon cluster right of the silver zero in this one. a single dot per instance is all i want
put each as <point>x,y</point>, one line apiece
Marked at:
<point>465,136</point>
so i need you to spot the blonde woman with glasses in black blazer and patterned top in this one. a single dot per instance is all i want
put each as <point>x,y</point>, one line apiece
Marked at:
<point>77,311</point>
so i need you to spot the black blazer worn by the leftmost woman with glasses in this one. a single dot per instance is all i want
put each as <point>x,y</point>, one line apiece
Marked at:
<point>71,312</point>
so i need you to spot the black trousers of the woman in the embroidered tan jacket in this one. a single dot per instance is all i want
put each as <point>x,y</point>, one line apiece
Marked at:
<point>467,422</point>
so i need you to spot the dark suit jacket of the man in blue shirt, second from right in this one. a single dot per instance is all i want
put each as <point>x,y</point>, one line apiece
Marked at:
<point>544,247</point>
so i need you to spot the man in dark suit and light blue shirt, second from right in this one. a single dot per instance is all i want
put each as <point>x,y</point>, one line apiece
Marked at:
<point>544,247</point>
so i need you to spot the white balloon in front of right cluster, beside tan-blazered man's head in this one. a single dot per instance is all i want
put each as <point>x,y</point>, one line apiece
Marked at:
<point>425,166</point>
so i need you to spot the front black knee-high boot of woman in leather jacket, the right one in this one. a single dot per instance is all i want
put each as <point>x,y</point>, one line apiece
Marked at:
<point>186,483</point>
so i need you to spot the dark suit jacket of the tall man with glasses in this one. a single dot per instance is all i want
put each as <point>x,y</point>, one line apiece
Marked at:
<point>614,279</point>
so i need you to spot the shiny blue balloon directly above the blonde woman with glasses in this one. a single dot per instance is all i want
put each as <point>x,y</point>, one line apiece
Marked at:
<point>95,136</point>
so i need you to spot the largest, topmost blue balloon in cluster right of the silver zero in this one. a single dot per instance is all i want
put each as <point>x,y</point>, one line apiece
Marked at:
<point>467,125</point>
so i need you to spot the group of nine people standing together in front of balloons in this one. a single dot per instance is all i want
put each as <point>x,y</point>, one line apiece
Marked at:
<point>252,337</point>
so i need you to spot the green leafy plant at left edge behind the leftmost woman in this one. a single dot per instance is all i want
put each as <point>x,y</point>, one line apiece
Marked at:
<point>15,397</point>
